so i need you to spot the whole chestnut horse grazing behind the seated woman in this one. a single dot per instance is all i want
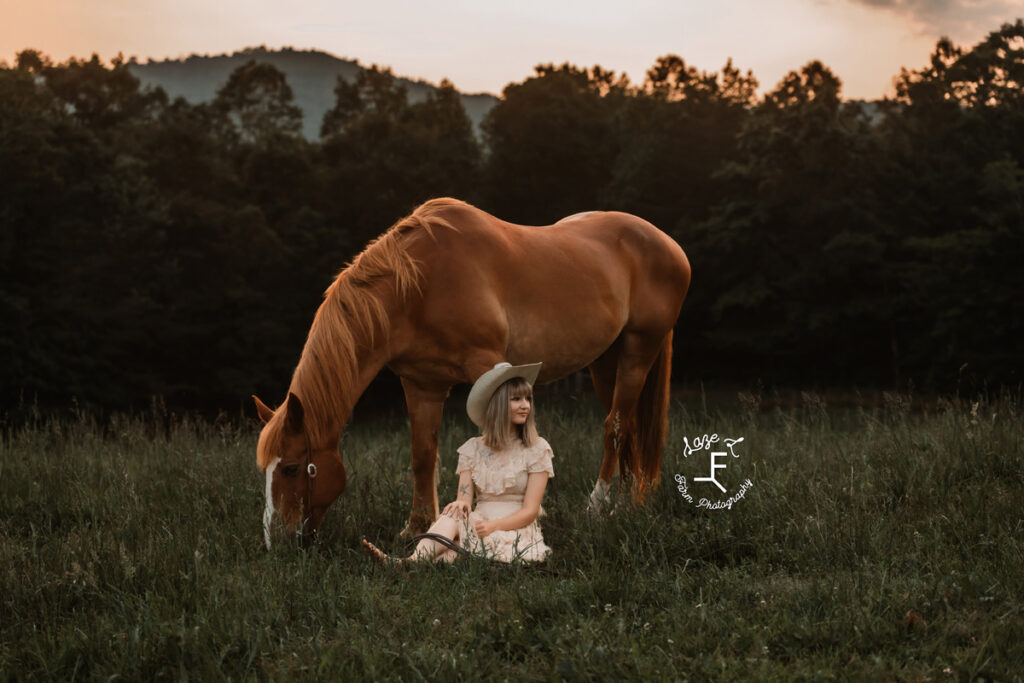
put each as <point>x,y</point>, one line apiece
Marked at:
<point>447,293</point>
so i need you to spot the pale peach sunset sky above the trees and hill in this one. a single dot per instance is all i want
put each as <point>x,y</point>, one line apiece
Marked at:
<point>482,47</point>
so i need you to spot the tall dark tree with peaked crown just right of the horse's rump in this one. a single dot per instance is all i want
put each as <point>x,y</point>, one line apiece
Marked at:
<point>795,282</point>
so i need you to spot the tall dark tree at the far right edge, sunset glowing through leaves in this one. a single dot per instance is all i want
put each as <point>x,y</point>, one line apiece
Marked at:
<point>956,134</point>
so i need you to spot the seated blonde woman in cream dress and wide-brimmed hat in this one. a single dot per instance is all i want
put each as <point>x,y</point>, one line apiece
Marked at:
<point>508,467</point>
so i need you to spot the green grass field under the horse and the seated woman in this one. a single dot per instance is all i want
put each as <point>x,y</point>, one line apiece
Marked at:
<point>874,544</point>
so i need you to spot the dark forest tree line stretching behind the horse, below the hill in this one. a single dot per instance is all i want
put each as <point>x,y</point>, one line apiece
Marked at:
<point>152,248</point>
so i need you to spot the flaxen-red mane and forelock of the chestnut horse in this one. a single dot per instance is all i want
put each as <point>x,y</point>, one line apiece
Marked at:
<point>353,314</point>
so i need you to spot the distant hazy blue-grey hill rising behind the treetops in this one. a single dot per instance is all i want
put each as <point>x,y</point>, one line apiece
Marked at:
<point>312,74</point>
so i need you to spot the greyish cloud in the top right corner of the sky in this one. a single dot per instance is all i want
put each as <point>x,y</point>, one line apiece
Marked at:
<point>963,21</point>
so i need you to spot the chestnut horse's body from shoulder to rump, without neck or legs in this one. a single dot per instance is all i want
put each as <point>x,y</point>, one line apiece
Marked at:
<point>562,293</point>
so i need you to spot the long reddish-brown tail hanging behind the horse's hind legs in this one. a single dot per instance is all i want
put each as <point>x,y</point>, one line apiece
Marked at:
<point>653,420</point>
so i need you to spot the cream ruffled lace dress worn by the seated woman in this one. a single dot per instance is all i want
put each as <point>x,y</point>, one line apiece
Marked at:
<point>500,482</point>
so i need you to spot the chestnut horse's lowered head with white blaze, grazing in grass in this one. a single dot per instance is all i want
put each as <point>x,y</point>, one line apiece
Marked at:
<point>305,475</point>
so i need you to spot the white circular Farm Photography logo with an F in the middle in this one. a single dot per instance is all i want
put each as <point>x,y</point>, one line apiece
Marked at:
<point>712,454</point>
